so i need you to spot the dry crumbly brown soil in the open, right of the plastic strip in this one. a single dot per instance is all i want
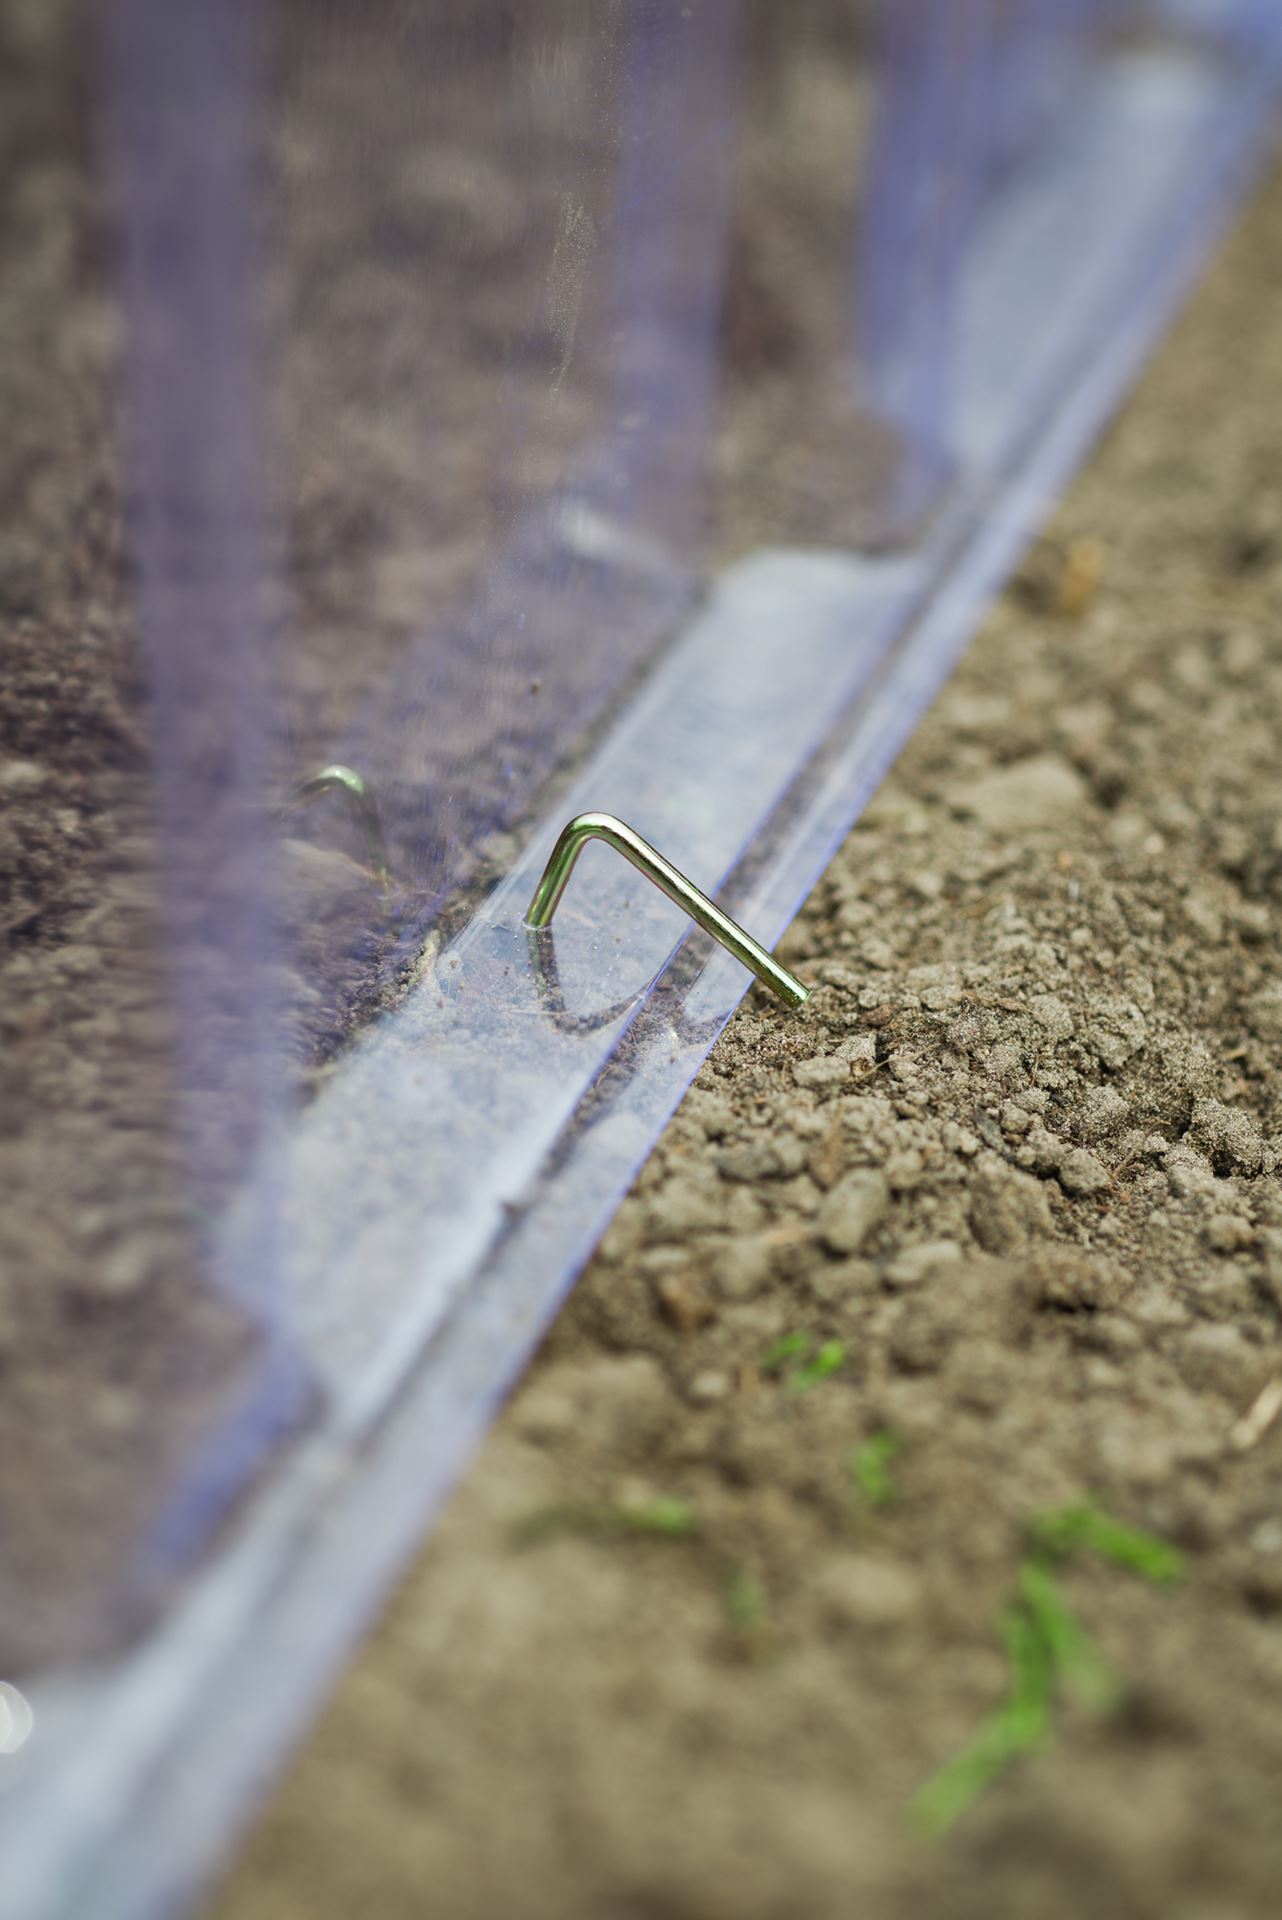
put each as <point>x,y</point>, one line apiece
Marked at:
<point>1020,1153</point>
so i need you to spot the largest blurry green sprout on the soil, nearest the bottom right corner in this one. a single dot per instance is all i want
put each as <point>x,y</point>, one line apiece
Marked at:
<point>1047,1648</point>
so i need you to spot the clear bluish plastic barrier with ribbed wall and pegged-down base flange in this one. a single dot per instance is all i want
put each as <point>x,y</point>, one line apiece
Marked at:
<point>513,412</point>
